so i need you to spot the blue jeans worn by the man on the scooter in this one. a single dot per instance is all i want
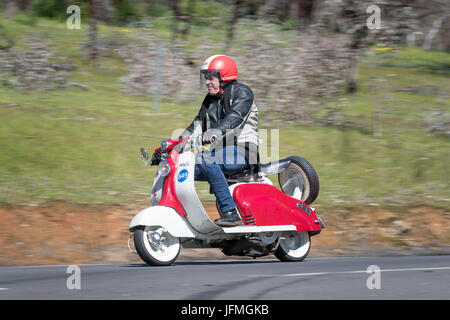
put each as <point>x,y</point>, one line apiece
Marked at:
<point>211,167</point>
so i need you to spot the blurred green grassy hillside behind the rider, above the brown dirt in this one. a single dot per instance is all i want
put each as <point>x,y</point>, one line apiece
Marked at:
<point>80,143</point>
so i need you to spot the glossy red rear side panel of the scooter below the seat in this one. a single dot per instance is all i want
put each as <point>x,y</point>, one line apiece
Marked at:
<point>265,205</point>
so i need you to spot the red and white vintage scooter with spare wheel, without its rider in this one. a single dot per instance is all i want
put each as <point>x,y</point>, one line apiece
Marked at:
<point>275,221</point>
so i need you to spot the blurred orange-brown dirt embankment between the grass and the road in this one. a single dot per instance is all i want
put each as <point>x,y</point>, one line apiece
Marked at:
<point>66,233</point>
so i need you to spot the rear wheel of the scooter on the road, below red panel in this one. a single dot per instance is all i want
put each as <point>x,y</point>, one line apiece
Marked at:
<point>293,247</point>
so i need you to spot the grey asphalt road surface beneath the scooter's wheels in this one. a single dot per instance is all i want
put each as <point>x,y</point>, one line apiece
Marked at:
<point>361,278</point>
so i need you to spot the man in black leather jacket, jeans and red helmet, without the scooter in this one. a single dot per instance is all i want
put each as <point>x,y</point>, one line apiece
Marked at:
<point>229,116</point>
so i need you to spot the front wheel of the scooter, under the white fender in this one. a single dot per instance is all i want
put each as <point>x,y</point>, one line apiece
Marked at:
<point>156,246</point>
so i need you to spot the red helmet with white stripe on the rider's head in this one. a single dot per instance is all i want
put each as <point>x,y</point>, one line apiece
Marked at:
<point>220,65</point>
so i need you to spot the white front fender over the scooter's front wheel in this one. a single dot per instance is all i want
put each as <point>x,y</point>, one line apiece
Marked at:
<point>165,217</point>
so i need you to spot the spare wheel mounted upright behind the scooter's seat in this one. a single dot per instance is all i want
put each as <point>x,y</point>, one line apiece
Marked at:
<point>300,180</point>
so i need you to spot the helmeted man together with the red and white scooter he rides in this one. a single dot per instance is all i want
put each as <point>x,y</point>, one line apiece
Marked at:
<point>278,221</point>
